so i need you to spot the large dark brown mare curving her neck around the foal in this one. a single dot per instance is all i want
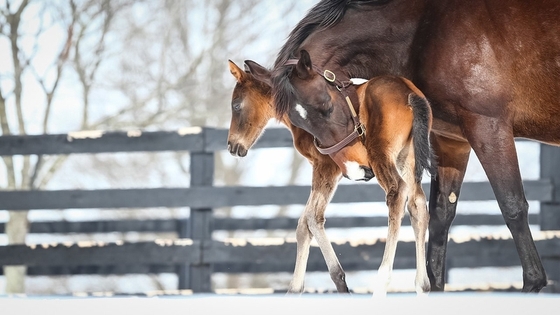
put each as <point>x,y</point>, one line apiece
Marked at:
<point>490,68</point>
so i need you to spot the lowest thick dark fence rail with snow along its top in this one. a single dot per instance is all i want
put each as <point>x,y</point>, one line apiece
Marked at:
<point>248,257</point>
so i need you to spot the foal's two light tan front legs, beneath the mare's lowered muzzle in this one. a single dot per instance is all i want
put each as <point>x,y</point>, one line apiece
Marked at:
<point>326,176</point>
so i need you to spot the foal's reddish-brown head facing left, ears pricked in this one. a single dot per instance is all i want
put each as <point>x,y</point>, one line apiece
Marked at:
<point>251,107</point>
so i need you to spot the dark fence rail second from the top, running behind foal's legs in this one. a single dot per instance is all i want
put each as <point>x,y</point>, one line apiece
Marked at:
<point>214,197</point>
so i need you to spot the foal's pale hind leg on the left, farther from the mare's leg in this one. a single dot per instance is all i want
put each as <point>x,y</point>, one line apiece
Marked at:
<point>396,192</point>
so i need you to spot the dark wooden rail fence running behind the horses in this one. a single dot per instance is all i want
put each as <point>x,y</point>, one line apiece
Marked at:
<point>195,255</point>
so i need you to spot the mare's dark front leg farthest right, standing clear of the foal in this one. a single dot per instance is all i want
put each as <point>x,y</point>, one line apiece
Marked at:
<point>493,142</point>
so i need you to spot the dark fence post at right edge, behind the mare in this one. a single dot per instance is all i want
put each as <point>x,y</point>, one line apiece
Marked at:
<point>549,217</point>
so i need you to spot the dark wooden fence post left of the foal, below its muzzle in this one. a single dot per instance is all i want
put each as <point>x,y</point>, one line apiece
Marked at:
<point>197,277</point>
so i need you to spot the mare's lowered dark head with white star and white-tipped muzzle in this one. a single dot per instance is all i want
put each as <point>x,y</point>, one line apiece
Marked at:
<point>321,110</point>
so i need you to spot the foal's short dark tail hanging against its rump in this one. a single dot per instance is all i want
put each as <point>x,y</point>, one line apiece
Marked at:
<point>423,153</point>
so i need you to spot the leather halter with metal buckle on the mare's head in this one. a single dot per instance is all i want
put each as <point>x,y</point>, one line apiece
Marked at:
<point>359,128</point>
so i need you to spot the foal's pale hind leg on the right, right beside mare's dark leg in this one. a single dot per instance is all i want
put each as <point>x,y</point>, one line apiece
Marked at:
<point>419,218</point>
